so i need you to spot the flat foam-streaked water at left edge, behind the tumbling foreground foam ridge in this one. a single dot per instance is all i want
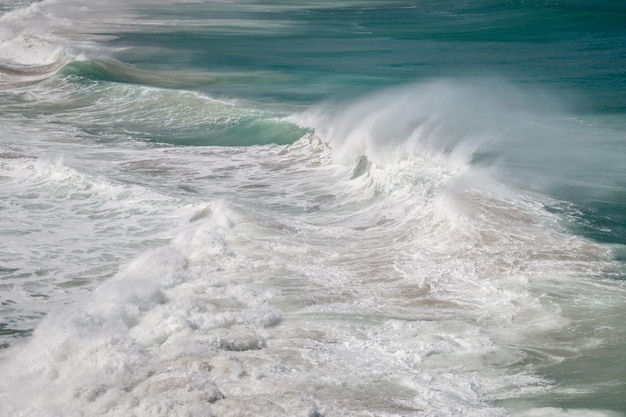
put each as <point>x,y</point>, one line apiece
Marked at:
<point>66,231</point>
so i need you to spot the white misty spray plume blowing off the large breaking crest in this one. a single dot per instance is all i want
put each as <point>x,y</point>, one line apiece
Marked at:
<point>440,116</point>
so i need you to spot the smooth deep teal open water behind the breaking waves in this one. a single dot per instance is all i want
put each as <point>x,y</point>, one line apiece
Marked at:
<point>310,52</point>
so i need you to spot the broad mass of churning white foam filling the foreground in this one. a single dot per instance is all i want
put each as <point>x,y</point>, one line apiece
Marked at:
<point>326,277</point>
